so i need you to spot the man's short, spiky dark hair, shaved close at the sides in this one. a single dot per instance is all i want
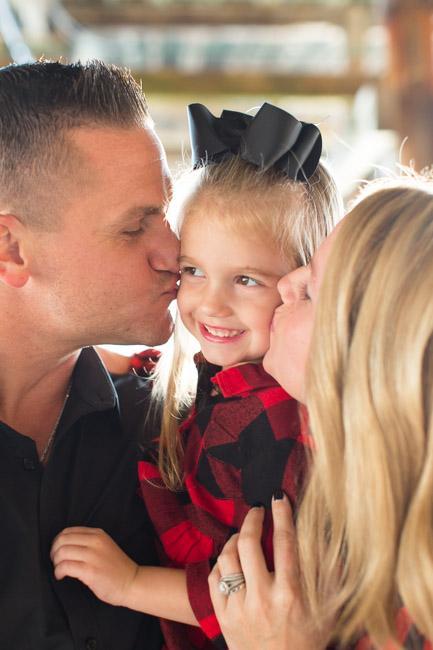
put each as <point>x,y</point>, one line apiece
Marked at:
<point>39,103</point>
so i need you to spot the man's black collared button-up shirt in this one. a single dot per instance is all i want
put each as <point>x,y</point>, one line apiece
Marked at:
<point>90,479</point>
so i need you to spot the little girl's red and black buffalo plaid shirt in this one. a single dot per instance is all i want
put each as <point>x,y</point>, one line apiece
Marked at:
<point>241,445</point>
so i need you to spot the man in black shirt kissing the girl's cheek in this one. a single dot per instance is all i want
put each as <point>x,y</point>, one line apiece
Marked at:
<point>85,257</point>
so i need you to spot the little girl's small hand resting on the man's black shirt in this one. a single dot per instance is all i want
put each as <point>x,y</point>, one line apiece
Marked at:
<point>91,556</point>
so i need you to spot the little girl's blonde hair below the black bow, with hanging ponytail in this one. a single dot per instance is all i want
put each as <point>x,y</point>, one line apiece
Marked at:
<point>292,216</point>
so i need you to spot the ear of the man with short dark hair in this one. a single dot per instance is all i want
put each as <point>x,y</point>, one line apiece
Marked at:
<point>13,267</point>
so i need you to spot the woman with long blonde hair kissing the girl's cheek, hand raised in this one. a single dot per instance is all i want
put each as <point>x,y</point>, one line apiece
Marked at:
<point>364,528</point>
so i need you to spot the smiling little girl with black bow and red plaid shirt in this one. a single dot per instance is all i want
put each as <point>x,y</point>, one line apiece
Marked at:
<point>256,206</point>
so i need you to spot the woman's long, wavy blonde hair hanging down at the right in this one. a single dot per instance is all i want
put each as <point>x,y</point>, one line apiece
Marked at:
<point>370,403</point>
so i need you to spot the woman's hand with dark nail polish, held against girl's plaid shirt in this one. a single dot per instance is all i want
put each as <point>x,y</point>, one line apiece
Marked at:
<point>269,613</point>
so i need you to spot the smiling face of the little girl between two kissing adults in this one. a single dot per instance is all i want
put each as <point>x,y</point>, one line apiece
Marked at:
<point>228,291</point>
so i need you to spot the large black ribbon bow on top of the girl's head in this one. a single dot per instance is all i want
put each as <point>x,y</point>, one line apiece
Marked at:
<point>270,138</point>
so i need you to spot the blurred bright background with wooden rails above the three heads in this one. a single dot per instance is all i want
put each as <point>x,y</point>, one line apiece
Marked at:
<point>362,70</point>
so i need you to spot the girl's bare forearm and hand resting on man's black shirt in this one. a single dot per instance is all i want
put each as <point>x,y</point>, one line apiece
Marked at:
<point>90,555</point>
